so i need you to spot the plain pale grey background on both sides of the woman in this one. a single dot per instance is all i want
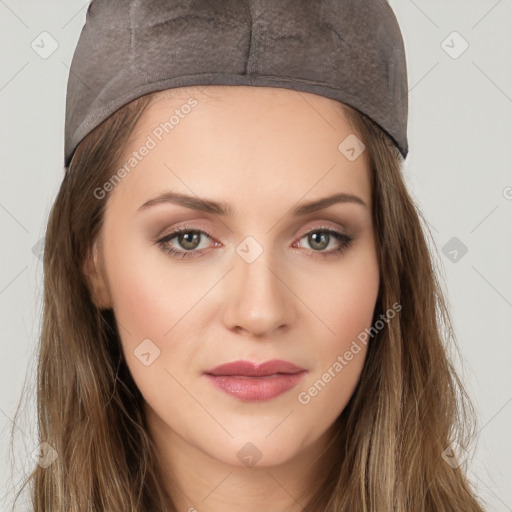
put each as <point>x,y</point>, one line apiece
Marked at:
<point>459,170</point>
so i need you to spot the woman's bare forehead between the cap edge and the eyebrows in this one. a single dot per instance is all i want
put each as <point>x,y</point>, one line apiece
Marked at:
<point>220,140</point>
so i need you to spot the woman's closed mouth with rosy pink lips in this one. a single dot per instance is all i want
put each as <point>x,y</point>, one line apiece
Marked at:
<point>249,381</point>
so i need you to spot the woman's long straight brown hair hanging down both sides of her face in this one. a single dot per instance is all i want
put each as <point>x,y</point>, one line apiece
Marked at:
<point>407,408</point>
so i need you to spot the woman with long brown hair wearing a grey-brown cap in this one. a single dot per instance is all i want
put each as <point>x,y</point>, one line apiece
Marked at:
<point>241,311</point>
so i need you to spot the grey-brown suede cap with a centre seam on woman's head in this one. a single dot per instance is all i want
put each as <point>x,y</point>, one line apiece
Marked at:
<point>347,50</point>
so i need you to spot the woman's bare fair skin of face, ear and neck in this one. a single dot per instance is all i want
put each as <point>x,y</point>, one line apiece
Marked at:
<point>262,151</point>
